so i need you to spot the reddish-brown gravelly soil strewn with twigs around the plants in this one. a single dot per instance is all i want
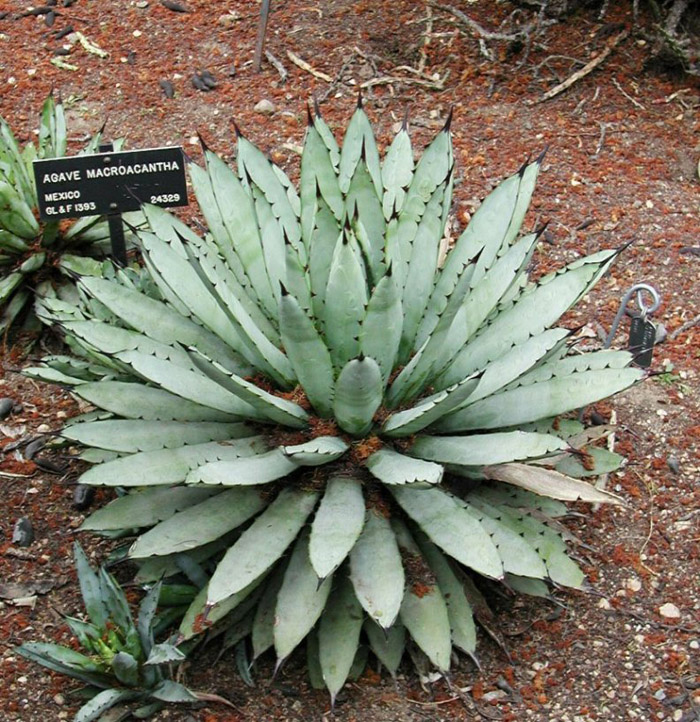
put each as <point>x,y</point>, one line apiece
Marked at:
<point>621,168</point>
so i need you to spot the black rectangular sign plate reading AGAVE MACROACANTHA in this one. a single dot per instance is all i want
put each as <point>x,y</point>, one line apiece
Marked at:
<point>110,182</point>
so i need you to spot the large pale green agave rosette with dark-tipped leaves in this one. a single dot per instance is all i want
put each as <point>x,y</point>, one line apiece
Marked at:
<point>343,431</point>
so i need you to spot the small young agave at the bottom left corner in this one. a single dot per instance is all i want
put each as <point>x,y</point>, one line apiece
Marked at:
<point>121,663</point>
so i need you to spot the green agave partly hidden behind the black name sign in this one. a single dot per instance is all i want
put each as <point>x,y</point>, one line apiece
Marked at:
<point>28,246</point>
